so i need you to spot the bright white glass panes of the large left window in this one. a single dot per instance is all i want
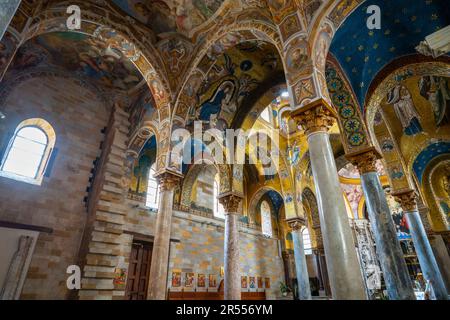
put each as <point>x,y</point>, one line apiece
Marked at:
<point>26,152</point>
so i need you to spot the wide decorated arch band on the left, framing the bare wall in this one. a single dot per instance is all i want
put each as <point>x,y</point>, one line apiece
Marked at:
<point>116,34</point>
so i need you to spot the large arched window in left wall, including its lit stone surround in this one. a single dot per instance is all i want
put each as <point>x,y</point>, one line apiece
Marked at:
<point>28,152</point>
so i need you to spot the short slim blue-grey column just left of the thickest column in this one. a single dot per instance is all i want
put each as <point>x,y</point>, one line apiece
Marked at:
<point>301,268</point>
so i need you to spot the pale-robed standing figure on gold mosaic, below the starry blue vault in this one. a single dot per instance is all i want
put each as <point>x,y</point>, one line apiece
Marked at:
<point>402,102</point>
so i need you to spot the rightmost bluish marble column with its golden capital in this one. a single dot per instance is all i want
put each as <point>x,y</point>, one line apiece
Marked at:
<point>427,261</point>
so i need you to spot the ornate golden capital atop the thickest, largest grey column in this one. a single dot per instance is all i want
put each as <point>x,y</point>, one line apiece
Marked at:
<point>318,116</point>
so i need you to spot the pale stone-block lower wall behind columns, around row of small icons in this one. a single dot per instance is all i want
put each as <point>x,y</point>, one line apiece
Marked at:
<point>197,247</point>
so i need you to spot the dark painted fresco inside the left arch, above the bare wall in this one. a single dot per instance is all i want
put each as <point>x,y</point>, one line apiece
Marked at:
<point>81,55</point>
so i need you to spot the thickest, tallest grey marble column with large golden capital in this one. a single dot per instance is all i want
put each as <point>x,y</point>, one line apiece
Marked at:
<point>344,269</point>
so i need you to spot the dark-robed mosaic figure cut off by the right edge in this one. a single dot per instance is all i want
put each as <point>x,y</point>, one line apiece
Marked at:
<point>437,91</point>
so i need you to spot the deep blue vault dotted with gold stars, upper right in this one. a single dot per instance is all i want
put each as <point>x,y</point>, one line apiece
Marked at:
<point>362,53</point>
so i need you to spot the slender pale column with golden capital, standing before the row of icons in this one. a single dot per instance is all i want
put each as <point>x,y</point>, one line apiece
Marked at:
<point>232,280</point>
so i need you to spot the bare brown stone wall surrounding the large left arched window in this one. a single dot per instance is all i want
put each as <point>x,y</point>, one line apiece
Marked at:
<point>77,117</point>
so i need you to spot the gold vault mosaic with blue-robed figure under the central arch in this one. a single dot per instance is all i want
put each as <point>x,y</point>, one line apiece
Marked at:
<point>231,79</point>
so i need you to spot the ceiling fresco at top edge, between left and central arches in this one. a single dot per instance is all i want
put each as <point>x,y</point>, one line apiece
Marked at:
<point>164,16</point>
